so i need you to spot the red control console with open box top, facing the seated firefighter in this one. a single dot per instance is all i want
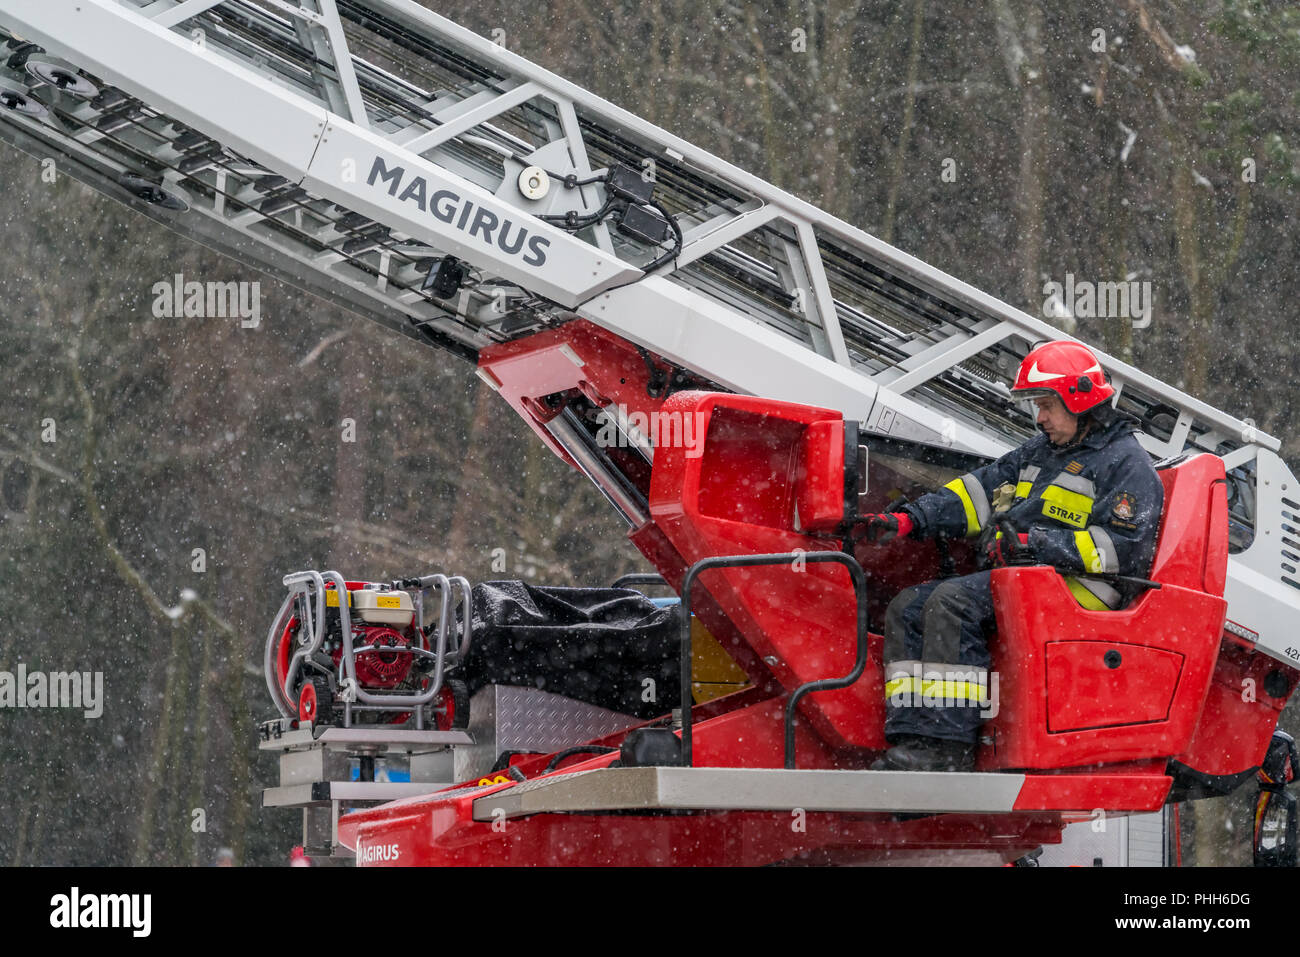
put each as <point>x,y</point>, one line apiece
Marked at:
<point>769,478</point>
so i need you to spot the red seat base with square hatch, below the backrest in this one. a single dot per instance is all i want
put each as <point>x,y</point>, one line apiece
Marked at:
<point>1082,687</point>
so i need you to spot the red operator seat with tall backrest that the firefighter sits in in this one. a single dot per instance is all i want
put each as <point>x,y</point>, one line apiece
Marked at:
<point>1077,687</point>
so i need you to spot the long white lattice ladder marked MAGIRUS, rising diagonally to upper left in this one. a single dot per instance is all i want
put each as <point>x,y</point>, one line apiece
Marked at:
<point>383,157</point>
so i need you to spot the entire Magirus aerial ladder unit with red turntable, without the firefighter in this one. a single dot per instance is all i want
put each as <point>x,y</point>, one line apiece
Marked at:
<point>612,280</point>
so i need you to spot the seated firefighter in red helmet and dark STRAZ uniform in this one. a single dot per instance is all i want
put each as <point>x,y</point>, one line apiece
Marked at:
<point>1081,496</point>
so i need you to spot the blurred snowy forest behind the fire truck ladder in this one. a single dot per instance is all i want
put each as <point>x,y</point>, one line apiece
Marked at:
<point>1137,140</point>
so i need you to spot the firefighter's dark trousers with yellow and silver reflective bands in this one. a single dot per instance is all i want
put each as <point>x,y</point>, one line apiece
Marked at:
<point>937,659</point>
